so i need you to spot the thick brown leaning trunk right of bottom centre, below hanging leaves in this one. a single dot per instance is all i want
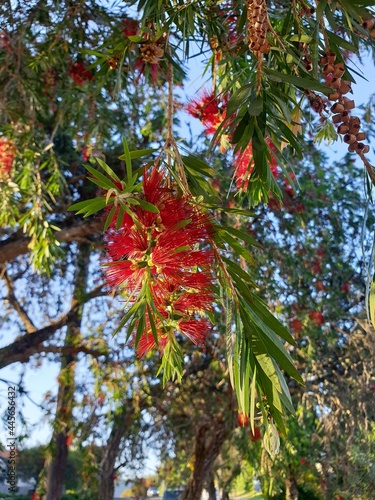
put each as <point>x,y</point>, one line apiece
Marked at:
<point>208,442</point>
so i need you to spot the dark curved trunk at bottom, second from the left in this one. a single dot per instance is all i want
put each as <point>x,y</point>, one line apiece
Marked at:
<point>107,465</point>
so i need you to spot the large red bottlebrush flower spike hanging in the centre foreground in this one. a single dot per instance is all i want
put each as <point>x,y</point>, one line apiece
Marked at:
<point>161,252</point>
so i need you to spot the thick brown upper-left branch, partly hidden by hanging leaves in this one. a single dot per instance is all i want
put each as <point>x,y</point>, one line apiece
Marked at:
<point>18,245</point>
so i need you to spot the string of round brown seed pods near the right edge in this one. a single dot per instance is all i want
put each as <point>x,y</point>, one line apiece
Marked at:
<point>347,125</point>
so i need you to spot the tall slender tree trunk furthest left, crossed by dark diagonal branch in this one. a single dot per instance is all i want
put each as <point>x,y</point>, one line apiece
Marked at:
<point>58,449</point>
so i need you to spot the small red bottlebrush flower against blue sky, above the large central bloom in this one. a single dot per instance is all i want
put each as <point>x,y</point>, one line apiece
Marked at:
<point>206,108</point>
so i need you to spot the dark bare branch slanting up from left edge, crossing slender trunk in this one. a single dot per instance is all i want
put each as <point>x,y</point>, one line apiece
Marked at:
<point>32,343</point>
